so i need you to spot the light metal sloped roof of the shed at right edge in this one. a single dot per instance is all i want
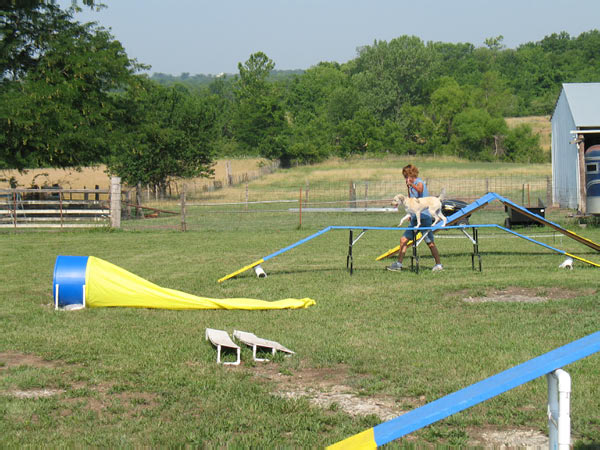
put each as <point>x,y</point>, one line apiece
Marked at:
<point>584,102</point>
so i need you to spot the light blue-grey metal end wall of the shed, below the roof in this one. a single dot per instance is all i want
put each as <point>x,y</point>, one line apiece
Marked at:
<point>565,168</point>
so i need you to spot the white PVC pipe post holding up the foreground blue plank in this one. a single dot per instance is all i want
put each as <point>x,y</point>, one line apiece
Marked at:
<point>559,414</point>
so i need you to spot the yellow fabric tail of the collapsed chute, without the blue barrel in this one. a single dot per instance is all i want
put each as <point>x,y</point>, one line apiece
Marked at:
<point>110,285</point>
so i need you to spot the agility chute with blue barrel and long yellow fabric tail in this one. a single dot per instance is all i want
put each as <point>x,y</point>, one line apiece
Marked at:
<point>96,283</point>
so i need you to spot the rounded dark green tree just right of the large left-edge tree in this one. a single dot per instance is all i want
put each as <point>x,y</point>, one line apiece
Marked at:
<point>165,133</point>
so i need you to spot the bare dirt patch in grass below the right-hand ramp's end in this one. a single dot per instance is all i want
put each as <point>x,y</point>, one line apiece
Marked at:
<point>515,294</point>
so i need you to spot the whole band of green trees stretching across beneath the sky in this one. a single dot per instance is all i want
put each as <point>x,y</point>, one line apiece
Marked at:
<point>71,96</point>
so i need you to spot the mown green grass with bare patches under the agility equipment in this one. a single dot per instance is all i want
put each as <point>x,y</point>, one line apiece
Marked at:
<point>375,344</point>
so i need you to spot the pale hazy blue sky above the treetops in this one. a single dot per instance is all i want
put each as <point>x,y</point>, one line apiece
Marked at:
<point>211,37</point>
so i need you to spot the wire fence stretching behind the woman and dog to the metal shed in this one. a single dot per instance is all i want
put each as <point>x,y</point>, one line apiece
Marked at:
<point>201,209</point>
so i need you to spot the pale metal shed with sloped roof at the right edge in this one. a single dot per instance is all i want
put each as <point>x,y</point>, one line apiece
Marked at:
<point>575,128</point>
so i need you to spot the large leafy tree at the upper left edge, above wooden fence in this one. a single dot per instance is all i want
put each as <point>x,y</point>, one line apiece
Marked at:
<point>57,89</point>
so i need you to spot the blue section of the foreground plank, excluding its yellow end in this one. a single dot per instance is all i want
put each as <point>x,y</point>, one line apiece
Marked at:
<point>486,389</point>
